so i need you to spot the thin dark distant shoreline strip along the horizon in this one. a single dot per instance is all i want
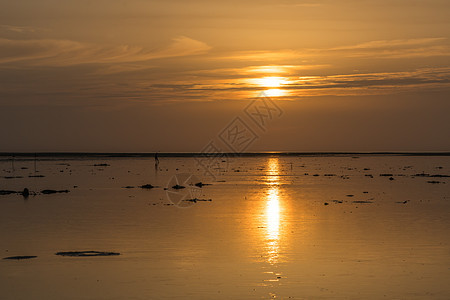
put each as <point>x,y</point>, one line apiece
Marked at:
<point>198,154</point>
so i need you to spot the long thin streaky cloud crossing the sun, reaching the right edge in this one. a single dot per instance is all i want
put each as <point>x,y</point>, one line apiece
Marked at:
<point>339,84</point>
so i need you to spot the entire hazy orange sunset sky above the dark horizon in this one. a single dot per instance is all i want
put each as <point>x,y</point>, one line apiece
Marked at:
<point>177,75</point>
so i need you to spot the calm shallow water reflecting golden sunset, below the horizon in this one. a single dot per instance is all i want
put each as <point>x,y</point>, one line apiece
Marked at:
<point>266,233</point>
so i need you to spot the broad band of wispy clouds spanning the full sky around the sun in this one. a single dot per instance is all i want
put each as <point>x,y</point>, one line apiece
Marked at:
<point>219,76</point>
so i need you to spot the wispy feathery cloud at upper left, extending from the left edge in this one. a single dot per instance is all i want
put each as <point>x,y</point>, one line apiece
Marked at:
<point>48,52</point>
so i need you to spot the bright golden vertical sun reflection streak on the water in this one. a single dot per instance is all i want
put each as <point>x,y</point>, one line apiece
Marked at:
<point>273,211</point>
